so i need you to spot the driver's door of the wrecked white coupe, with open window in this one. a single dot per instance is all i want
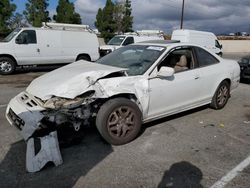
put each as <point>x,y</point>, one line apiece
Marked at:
<point>179,92</point>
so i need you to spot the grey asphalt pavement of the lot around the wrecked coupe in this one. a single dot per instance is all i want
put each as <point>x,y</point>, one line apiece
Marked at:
<point>192,149</point>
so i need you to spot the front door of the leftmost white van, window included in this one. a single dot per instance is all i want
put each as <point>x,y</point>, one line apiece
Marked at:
<point>26,48</point>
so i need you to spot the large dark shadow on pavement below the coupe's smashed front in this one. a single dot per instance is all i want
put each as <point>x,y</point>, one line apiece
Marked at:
<point>78,160</point>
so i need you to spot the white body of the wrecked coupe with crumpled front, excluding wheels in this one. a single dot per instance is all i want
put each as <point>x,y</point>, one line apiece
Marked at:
<point>156,95</point>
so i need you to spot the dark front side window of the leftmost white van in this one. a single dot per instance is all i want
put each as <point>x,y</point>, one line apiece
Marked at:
<point>27,37</point>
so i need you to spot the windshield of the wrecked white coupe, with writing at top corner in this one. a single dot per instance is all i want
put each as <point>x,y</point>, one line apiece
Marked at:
<point>136,58</point>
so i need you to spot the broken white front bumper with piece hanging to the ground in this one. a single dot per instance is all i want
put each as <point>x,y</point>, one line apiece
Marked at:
<point>25,113</point>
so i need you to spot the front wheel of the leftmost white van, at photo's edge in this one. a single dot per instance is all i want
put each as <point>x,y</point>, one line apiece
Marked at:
<point>7,65</point>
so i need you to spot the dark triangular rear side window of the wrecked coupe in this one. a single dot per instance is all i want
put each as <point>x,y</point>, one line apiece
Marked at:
<point>205,58</point>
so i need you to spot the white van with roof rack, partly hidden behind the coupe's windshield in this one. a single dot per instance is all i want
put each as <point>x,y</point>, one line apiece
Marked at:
<point>129,38</point>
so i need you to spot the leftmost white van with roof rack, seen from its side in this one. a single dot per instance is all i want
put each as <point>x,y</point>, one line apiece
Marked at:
<point>47,45</point>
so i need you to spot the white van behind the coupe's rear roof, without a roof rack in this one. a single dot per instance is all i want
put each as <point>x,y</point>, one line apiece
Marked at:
<point>205,39</point>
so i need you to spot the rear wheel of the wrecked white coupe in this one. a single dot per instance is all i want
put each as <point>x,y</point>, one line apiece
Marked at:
<point>221,96</point>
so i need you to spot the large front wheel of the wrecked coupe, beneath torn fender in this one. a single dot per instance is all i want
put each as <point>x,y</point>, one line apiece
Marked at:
<point>119,121</point>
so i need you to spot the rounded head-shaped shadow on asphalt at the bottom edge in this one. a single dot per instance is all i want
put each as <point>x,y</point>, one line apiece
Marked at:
<point>182,175</point>
